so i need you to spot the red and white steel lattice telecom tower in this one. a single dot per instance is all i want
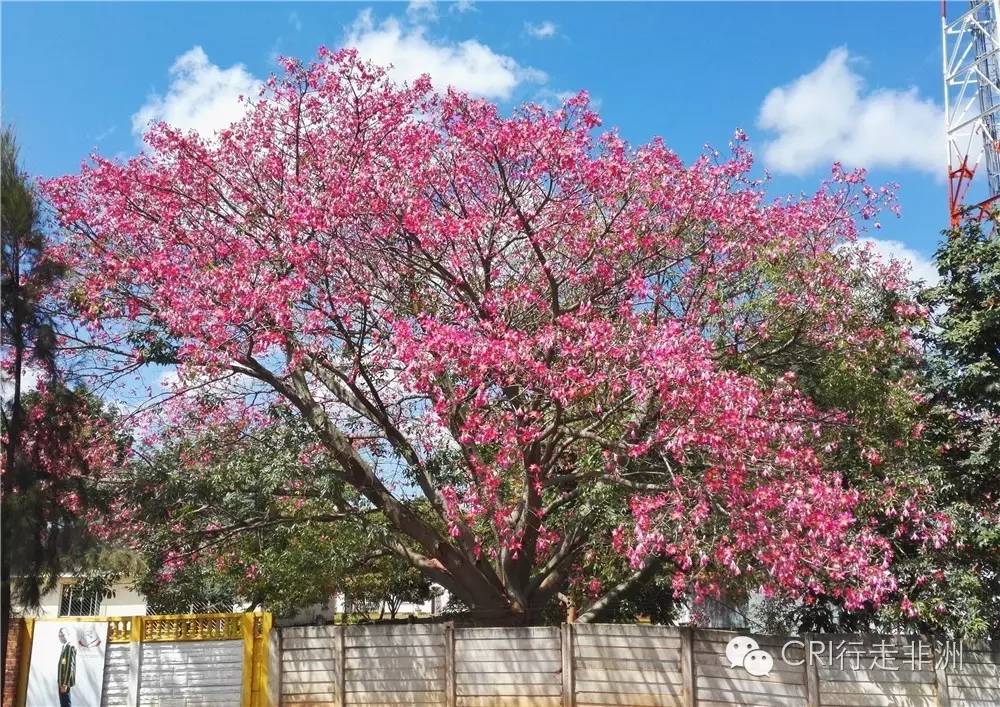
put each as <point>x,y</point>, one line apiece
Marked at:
<point>970,46</point>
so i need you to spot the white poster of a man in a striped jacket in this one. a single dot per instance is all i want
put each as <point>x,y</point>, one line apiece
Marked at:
<point>67,664</point>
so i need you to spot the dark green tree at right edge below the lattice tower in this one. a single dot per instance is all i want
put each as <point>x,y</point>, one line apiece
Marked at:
<point>963,382</point>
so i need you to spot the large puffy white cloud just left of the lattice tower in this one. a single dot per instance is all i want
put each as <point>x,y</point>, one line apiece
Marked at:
<point>826,115</point>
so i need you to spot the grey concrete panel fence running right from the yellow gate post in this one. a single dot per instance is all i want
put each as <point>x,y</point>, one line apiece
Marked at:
<point>611,665</point>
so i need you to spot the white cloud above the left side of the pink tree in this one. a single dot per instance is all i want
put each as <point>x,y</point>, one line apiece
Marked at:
<point>201,96</point>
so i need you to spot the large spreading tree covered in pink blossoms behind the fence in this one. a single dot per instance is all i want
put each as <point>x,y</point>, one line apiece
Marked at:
<point>522,344</point>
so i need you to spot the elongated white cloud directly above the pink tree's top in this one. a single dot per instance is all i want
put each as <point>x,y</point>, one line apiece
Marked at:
<point>467,65</point>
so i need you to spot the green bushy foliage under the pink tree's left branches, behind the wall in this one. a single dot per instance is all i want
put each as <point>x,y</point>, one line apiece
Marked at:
<point>253,521</point>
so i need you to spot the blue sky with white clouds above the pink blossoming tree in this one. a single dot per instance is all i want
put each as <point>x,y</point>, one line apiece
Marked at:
<point>810,82</point>
